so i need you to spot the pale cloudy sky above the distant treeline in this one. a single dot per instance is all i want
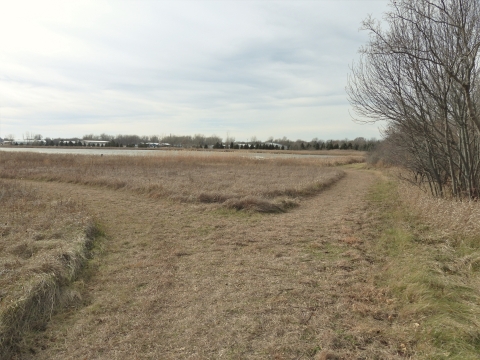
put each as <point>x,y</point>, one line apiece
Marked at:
<point>250,68</point>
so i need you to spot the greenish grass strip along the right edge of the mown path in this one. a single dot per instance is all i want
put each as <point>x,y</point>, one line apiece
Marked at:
<point>434,281</point>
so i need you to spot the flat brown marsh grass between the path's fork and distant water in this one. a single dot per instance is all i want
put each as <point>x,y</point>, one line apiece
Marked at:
<point>236,181</point>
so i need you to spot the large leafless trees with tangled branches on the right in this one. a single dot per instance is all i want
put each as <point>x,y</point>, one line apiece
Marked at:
<point>421,76</point>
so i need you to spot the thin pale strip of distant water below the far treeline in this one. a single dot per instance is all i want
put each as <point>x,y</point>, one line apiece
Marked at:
<point>154,152</point>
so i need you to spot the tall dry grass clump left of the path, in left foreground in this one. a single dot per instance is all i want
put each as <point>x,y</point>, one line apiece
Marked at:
<point>43,245</point>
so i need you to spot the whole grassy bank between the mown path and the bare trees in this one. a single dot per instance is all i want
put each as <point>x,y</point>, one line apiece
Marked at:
<point>431,267</point>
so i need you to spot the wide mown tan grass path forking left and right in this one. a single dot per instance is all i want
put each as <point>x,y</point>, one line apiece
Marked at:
<point>183,281</point>
